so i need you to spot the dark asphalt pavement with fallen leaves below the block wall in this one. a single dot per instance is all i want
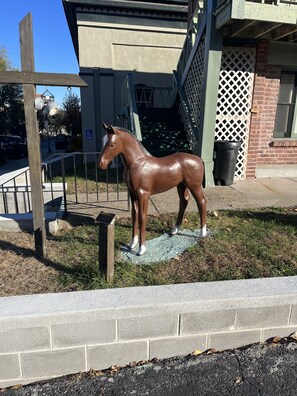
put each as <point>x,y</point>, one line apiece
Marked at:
<point>259,369</point>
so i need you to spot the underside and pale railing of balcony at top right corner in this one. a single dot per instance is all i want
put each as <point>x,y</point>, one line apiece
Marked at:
<point>274,20</point>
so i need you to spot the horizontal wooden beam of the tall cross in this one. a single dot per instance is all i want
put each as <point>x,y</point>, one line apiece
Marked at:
<point>37,78</point>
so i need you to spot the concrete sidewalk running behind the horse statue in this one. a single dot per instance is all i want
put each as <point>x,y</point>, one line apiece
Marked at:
<point>243,194</point>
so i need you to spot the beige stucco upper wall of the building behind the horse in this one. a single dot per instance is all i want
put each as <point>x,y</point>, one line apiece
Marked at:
<point>126,48</point>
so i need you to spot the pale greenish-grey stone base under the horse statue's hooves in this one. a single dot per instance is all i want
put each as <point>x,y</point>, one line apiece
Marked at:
<point>163,248</point>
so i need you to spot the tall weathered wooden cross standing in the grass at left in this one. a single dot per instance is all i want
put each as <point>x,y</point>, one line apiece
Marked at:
<point>29,79</point>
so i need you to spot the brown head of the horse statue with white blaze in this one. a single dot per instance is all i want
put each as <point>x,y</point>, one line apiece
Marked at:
<point>112,147</point>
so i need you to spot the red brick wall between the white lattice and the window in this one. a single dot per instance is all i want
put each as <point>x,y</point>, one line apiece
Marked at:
<point>263,149</point>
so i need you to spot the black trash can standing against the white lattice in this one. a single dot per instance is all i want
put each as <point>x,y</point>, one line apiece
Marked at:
<point>225,158</point>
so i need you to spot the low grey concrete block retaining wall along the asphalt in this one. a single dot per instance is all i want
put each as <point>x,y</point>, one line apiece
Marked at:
<point>48,335</point>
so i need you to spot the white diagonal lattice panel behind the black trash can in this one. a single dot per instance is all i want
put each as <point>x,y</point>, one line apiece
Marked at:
<point>234,100</point>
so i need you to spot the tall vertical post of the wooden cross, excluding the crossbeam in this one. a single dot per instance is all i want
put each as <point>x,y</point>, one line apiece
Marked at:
<point>29,91</point>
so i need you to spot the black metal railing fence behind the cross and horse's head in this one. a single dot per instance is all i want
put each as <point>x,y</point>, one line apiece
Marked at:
<point>70,178</point>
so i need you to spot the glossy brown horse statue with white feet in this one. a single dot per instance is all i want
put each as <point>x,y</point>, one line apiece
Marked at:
<point>146,175</point>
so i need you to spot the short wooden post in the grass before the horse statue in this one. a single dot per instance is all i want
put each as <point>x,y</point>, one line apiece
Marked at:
<point>106,223</point>
